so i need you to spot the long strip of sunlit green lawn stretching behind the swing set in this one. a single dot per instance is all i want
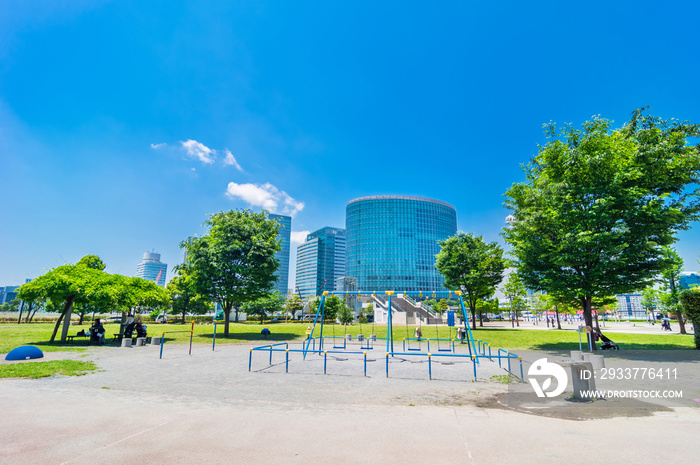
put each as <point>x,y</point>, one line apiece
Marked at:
<point>12,335</point>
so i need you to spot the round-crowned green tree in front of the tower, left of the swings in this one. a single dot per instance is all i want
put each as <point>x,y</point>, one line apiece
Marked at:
<point>235,262</point>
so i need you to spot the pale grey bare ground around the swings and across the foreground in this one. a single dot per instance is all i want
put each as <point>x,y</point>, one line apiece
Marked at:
<point>208,408</point>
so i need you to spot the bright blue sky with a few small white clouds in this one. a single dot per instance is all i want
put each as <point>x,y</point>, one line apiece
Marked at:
<point>122,124</point>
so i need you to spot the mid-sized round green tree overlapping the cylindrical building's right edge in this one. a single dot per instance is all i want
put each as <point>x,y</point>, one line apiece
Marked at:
<point>472,266</point>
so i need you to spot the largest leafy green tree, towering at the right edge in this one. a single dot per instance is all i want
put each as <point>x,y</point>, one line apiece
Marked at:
<point>599,204</point>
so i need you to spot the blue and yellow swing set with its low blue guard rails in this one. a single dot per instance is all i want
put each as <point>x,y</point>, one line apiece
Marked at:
<point>315,343</point>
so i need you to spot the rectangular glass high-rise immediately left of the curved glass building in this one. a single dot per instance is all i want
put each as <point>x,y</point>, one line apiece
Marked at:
<point>321,261</point>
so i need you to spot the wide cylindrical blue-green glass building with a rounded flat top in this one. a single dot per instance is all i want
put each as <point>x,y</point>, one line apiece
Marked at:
<point>392,241</point>
